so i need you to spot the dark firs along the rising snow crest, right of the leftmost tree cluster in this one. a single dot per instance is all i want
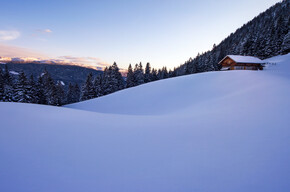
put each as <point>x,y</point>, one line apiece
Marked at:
<point>111,80</point>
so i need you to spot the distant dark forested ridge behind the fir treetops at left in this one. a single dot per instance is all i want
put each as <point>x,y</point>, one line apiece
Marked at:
<point>59,72</point>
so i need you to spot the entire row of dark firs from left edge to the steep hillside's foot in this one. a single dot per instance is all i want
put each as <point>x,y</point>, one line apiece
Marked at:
<point>45,90</point>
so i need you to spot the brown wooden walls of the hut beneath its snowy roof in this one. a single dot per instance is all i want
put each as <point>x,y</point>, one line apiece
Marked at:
<point>230,64</point>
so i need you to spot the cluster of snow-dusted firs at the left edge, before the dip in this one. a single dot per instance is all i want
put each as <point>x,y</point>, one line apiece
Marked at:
<point>43,90</point>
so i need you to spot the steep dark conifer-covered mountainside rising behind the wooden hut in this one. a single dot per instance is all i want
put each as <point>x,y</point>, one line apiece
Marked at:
<point>265,36</point>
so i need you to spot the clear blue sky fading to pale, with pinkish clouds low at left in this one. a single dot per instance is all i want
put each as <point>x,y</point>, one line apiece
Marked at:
<point>162,32</point>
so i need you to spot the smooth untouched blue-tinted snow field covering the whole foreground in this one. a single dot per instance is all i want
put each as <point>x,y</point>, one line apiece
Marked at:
<point>218,131</point>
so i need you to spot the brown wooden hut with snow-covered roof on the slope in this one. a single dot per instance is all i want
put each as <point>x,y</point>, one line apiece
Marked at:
<point>239,62</point>
